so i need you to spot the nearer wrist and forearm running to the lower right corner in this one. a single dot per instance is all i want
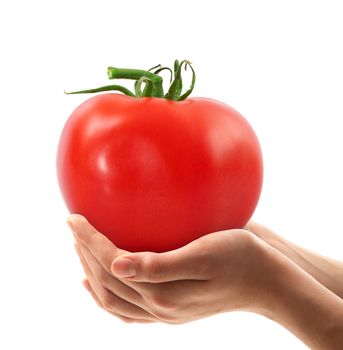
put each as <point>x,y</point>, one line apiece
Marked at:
<point>304,306</point>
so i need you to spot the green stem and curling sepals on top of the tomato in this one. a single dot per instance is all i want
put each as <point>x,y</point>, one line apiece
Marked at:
<point>153,82</point>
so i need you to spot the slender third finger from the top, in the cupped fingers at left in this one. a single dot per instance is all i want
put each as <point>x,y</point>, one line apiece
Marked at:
<point>112,303</point>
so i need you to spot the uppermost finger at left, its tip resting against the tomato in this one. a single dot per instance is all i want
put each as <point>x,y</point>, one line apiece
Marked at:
<point>100,246</point>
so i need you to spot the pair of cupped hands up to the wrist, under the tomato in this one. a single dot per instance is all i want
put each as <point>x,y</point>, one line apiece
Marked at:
<point>222,271</point>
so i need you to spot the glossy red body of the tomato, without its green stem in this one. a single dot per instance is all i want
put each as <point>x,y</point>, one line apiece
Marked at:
<point>153,174</point>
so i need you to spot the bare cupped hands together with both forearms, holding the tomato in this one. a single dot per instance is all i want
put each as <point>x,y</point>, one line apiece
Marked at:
<point>296,288</point>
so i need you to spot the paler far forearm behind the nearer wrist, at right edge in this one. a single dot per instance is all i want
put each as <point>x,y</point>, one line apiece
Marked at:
<point>326,271</point>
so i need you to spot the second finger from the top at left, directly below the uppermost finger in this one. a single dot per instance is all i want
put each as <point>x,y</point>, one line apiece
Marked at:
<point>107,280</point>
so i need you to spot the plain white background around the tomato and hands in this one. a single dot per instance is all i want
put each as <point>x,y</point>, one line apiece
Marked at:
<point>277,62</point>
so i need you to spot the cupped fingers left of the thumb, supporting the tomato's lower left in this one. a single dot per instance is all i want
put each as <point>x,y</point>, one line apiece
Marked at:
<point>100,281</point>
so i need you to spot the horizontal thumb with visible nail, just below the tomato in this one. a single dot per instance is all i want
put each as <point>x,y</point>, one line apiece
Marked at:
<point>180,264</point>
